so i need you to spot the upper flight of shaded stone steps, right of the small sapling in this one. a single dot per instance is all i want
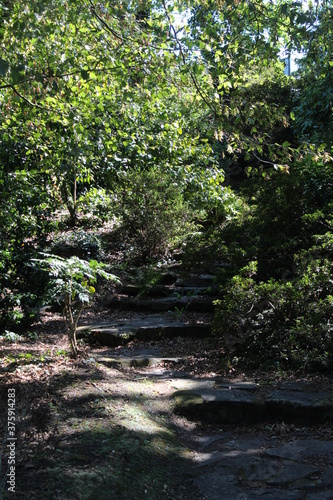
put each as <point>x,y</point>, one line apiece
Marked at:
<point>171,294</point>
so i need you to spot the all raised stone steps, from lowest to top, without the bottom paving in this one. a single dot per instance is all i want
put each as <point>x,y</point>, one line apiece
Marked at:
<point>213,400</point>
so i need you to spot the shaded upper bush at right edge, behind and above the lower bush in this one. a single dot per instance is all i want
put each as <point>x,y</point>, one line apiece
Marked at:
<point>271,221</point>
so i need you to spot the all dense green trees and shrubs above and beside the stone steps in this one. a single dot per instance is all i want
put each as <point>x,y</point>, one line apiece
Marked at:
<point>175,120</point>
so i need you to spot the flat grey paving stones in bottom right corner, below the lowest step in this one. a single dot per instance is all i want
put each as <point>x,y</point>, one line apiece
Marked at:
<point>248,468</point>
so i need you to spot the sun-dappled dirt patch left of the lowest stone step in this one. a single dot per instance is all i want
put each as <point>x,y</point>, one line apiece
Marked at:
<point>88,431</point>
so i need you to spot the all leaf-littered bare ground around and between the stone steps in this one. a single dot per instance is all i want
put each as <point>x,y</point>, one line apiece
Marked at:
<point>87,431</point>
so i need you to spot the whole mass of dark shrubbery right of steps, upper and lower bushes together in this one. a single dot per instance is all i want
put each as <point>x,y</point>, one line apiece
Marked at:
<point>277,293</point>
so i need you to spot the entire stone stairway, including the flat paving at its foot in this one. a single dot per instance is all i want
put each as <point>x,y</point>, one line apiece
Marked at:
<point>280,450</point>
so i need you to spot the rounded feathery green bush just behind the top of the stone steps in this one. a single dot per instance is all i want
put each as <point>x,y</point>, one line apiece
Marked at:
<point>155,218</point>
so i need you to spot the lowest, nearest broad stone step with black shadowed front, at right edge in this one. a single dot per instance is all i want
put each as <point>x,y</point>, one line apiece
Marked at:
<point>238,405</point>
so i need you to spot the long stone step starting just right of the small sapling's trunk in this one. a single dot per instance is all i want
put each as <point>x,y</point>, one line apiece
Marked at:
<point>145,328</point>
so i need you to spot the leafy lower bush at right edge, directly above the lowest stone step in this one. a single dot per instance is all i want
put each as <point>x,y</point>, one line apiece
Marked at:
<point>285,324</point>
